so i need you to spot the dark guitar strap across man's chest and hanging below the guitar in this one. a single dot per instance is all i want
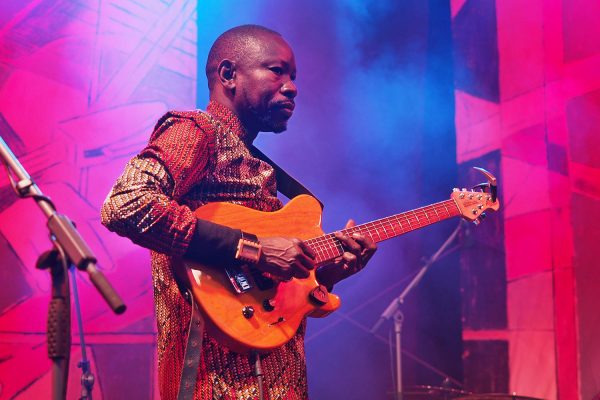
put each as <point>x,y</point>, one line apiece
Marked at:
<point>289,187</point>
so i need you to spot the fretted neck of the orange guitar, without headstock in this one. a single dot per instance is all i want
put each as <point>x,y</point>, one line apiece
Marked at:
<point>327,247</point>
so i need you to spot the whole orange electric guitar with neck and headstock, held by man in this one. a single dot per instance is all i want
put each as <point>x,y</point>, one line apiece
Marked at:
<point>247,312</point>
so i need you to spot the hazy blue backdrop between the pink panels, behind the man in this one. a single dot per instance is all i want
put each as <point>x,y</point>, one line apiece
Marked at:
<point>372,135</point>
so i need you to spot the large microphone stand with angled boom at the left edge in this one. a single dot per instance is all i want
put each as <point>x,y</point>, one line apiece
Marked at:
<point>69,250</point>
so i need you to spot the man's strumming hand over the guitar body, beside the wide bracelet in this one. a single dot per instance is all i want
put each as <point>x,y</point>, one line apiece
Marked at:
<point>285,258</point>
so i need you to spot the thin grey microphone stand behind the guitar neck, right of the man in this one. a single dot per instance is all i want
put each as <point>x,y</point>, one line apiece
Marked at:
<point>393,309</point>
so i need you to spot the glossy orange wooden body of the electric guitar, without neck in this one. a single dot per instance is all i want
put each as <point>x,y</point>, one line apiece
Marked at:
<point>223,308</point>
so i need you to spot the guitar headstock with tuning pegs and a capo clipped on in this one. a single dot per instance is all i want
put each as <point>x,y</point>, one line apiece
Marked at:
<point>473,204</point>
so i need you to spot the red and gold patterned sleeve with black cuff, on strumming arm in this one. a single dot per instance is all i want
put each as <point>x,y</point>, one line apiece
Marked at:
<point>143,204</point>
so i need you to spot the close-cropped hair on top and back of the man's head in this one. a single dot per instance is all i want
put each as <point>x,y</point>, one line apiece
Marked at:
<point>236,44</point>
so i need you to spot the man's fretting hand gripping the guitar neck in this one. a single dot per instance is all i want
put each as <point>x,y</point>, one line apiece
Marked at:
<point>358,250</point>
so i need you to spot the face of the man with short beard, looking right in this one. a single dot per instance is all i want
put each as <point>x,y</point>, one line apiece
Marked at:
<point>265,90</point>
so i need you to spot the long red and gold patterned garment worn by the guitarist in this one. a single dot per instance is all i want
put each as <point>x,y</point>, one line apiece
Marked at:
<point>193,158</point>
